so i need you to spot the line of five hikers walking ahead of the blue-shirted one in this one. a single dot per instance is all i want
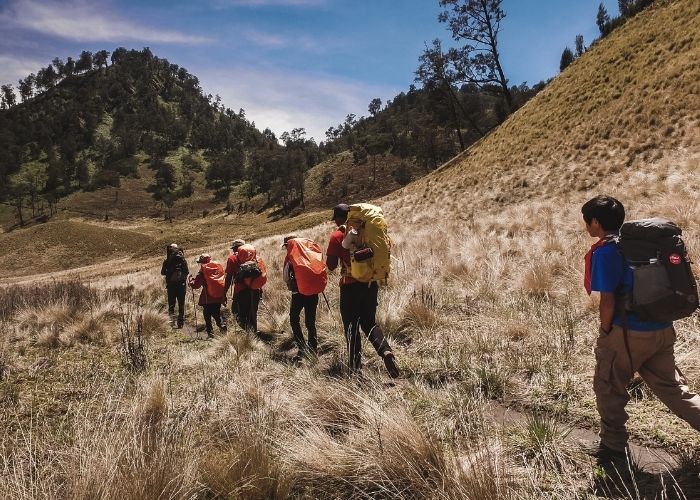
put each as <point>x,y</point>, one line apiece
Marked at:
<point>359,246</point>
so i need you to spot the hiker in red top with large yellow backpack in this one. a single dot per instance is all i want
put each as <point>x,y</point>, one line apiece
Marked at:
<point>361,246</point>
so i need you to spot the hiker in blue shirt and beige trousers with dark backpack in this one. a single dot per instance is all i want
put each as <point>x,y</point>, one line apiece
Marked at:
<point>627,343</point>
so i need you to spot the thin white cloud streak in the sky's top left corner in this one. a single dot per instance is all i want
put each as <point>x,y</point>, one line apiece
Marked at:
<point>84,21</point>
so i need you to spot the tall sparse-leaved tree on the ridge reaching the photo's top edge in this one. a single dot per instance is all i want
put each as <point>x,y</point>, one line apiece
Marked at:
<point>478,23</point>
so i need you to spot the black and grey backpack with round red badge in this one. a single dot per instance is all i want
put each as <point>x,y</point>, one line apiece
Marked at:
<point>664,288</point>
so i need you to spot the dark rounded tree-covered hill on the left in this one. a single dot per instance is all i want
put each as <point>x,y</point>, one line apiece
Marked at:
<point>86,124</point>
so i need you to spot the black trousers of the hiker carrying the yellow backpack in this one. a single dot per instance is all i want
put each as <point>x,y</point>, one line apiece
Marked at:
<point>358,309</point>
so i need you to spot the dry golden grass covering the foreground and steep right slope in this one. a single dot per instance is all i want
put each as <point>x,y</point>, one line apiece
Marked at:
<point>484,308</point>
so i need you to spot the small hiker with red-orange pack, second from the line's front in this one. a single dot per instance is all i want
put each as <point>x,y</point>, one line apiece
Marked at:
<point>210,279</point>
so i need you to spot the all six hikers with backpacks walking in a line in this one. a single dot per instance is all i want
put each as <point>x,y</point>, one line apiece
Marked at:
<point>640,268</point>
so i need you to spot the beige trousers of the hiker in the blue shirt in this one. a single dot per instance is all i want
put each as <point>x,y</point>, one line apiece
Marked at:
<point>652,357</point>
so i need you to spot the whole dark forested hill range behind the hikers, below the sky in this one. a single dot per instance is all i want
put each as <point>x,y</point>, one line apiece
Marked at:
<point>133,120</point>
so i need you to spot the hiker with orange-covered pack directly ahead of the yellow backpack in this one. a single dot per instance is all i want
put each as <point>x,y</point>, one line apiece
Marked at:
<point>305,274</point>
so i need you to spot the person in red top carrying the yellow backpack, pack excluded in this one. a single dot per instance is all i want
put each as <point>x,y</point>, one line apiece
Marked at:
<point>358,299</point>
